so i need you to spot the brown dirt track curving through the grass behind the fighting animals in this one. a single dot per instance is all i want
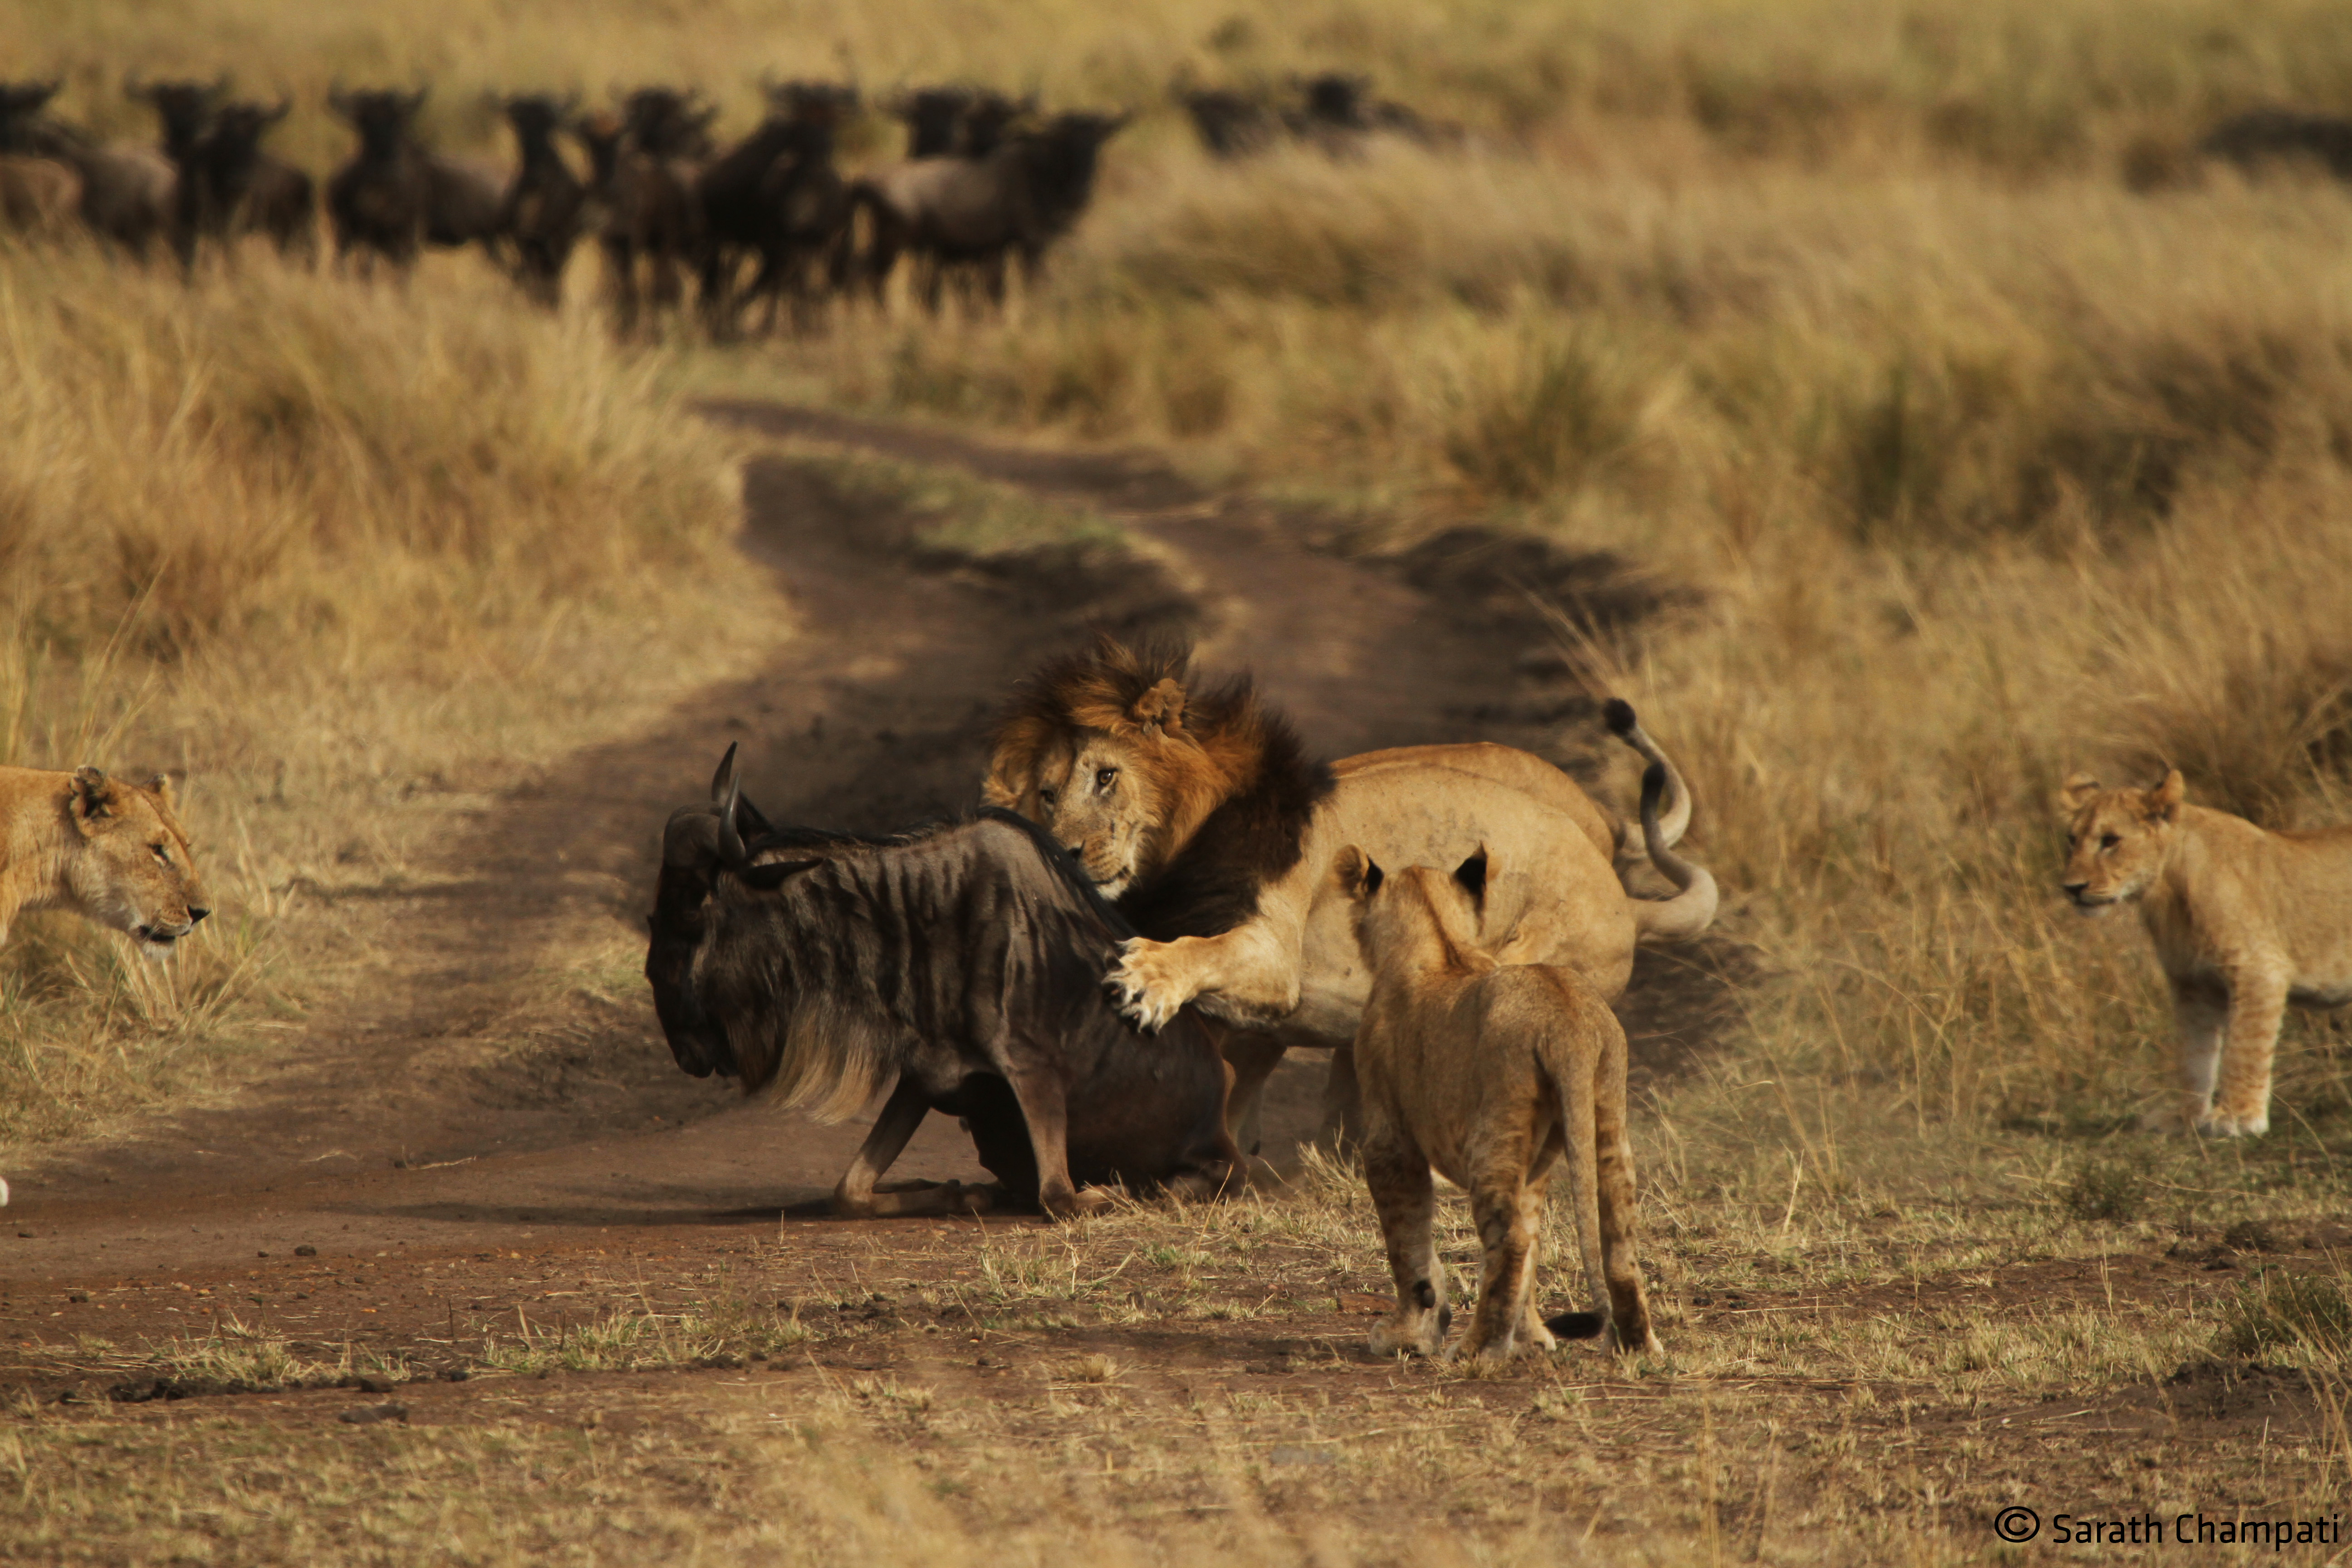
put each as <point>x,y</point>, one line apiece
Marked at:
<point>403,1141</point>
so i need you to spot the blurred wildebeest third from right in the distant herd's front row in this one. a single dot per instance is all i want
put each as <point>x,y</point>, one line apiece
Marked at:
<point>643,170</point>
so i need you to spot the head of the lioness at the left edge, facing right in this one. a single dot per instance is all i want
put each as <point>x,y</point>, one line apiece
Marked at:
<point>128,864</point>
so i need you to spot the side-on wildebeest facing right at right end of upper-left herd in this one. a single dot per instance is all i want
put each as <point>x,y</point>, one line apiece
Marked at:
<point>977,213</point>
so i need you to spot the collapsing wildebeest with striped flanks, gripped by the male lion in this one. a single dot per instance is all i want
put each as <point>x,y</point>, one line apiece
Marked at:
<point>961,967</point>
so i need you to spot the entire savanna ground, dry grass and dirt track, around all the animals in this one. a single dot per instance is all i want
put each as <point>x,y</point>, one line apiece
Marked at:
<point>1880,398</point>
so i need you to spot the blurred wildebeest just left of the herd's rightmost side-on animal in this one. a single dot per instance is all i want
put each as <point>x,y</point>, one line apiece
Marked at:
<point>777,199</point>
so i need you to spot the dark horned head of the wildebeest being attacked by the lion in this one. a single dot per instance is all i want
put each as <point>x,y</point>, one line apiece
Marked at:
<point>702,847</point>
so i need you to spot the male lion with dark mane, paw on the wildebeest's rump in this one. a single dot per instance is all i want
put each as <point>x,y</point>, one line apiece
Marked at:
<point>1201,815</point>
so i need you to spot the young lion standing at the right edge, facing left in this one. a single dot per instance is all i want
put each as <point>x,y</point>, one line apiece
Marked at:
<point>2245,920</point>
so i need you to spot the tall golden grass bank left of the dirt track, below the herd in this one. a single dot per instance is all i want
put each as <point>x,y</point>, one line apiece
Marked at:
<point>338,556</point>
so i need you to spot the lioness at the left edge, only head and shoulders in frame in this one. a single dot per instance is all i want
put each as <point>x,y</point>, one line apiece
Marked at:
<point>105,847</point>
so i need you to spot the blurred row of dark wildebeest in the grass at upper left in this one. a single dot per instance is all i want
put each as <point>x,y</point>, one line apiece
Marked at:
<point>768,220</point>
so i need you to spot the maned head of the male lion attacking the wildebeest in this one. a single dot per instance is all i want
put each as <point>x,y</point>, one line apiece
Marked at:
<point>1118,760</point>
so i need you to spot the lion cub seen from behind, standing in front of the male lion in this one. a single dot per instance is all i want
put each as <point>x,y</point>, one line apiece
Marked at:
<point>1488,1073</point>
